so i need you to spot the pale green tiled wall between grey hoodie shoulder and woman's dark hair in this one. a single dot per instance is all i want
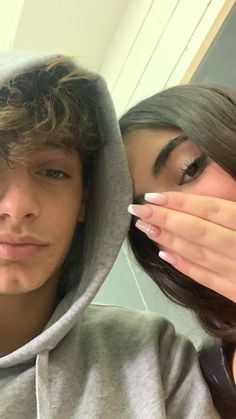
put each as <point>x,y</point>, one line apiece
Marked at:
<point>128,286</point>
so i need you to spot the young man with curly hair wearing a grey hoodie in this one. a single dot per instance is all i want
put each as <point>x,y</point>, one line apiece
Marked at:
<point>64,192</point>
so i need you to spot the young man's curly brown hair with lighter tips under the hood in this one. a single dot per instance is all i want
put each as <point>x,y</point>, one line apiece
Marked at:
<point>51,105</point>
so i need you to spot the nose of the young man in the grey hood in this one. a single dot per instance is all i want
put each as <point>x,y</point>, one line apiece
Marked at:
<point>18,199</point>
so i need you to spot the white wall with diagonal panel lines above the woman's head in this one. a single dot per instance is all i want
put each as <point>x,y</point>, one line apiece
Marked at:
<point>154,45</point>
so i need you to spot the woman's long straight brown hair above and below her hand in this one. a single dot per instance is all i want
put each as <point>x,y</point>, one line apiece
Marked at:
<point>206,115</point>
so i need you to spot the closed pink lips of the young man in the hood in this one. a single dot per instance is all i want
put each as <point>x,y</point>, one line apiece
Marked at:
<point>16,248</point>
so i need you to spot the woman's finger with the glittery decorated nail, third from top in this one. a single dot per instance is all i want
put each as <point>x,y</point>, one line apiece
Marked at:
<point>192,252</point>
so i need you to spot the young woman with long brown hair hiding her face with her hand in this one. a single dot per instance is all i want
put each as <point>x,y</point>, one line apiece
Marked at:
<point>181,148</point>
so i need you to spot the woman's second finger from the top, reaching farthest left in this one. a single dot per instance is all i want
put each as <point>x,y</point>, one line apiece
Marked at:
<point>216,238</point>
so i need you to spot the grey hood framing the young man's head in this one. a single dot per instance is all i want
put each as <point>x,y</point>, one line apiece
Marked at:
<point>107,218</point>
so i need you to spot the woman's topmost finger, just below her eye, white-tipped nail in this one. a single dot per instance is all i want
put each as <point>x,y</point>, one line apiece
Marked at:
<point>216,210</point>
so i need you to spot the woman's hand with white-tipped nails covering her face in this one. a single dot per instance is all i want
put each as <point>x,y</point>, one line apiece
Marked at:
<point>197,235</point>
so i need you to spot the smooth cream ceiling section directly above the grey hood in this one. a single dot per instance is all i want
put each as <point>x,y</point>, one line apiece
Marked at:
<point>81,28</point>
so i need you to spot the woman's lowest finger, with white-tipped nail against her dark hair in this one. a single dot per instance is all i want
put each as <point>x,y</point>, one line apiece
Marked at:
<point>202,275</point>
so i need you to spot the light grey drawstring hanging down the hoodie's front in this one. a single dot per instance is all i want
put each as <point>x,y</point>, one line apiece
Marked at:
<point>41,384</point>
